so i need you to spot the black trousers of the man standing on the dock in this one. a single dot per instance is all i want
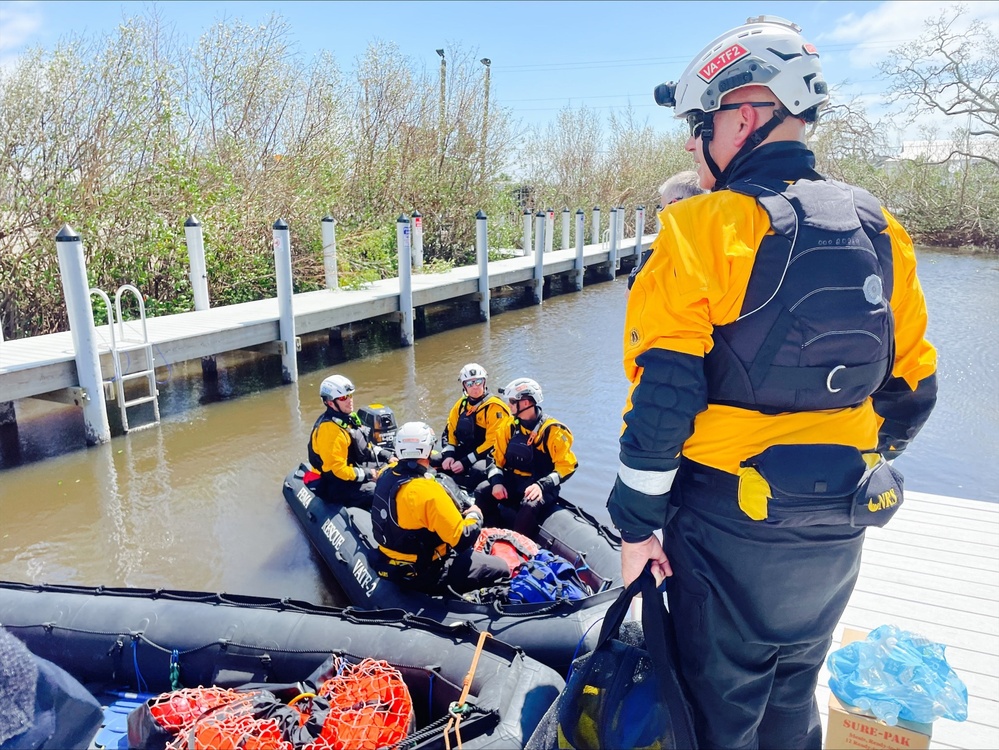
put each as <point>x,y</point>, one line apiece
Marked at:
<point>755,606</point>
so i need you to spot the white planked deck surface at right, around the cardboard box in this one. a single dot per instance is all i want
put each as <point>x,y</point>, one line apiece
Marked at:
<point>934,570</point>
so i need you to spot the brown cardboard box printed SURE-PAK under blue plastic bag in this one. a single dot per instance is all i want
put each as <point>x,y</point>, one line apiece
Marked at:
<point>851,727</point>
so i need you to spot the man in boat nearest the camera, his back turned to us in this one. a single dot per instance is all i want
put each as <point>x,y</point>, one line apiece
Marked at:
<point>424,530</point>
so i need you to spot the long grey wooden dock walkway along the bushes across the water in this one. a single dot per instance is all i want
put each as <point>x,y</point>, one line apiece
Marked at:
<point>46,364</point>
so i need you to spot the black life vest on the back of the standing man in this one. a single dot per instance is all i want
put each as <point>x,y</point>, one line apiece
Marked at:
<point>816,330</point>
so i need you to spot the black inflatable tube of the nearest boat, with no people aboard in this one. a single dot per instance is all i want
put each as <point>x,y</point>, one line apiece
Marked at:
<point>123,639</point>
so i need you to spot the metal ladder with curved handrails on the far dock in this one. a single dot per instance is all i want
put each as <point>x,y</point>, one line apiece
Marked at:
<point>124,345</point>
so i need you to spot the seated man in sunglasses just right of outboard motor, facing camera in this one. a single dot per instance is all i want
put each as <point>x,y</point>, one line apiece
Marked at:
<point>468,438</point>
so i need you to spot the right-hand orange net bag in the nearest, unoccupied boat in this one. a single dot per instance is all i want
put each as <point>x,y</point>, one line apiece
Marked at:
<point>369,707</point>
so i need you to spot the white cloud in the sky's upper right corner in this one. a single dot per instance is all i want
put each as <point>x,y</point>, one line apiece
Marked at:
<point>893,23</point>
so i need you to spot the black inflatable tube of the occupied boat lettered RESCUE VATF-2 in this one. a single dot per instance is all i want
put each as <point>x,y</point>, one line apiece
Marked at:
<point>550,632</point>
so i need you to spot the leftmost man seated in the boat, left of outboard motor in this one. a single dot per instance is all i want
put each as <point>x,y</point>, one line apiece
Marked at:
<point>344,462</point>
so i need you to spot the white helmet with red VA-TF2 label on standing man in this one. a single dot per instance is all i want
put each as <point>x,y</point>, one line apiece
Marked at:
<point>765,51</point>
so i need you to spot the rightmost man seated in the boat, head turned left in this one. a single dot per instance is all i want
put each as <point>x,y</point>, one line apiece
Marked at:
<point>532,457</point>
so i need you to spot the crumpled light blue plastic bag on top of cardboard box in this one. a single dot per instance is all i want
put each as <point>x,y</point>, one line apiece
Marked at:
<point>895,675</point>
